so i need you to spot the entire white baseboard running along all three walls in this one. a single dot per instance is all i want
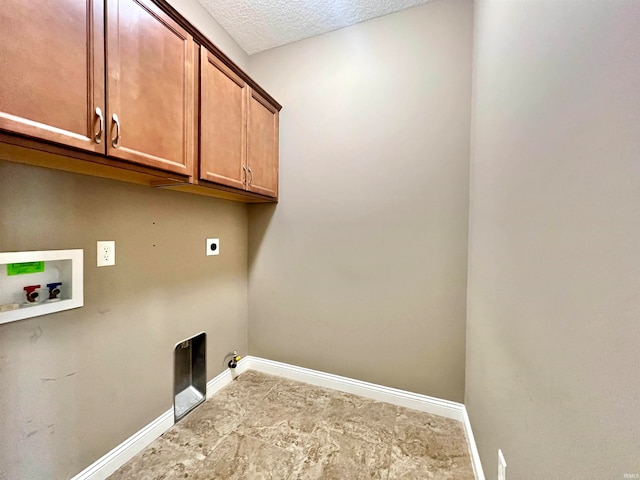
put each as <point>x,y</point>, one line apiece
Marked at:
<point>120,455</point>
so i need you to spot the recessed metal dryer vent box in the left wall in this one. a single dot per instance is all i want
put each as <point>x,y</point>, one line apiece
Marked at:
<point>190,375</point>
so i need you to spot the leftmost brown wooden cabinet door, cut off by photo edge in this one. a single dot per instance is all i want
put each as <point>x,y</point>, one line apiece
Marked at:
<point>52,70</point>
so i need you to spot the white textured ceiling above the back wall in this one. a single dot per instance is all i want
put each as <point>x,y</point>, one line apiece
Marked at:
<point>259,25</point>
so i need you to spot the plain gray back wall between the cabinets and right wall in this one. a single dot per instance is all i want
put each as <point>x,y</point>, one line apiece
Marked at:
<point>361,268</point>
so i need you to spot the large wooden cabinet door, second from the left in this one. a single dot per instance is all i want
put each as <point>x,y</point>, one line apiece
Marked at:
<point>150,87</point>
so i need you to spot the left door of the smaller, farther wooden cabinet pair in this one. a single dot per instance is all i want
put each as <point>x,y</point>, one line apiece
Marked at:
<point>222,123</point>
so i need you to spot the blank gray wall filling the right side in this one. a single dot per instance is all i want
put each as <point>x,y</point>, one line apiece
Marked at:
<point>553,330</point>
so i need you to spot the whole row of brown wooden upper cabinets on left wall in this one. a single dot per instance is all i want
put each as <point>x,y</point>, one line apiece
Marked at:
<point>125,82</point>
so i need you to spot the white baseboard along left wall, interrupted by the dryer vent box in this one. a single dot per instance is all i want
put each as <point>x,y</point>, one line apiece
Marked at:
<point>113,460</point>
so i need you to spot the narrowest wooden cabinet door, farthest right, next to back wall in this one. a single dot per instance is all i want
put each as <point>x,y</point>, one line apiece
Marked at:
<point>262,146</point>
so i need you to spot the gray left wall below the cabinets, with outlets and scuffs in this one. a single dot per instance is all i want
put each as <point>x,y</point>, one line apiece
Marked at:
<point>77,383</point>
